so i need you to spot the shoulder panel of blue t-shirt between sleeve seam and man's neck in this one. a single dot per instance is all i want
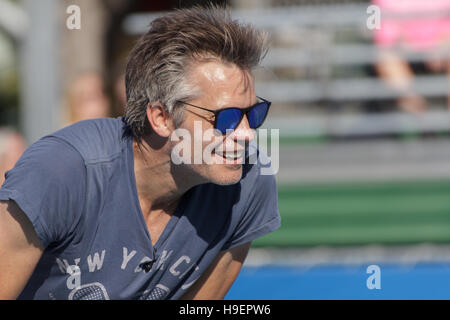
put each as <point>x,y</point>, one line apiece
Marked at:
<point>97,140</point>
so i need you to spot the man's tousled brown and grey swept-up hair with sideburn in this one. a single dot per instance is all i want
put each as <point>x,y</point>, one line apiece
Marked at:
<point>158,65</point>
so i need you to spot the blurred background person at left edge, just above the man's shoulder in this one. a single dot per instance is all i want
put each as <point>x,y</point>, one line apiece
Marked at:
<point>12,145</point>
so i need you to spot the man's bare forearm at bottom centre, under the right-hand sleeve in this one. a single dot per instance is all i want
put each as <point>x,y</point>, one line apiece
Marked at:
<point>218,278</point>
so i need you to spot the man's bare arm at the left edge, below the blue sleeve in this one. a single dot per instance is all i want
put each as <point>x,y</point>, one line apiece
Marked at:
<point>20,250</point>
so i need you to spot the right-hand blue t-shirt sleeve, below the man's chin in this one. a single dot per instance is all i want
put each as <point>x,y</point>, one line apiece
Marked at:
<point>260,215</point>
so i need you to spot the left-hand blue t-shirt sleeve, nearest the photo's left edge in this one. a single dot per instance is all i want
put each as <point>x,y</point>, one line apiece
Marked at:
<point>48,184</point>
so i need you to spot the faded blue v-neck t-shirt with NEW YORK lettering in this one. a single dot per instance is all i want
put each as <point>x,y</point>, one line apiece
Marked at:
<point>77,187</point>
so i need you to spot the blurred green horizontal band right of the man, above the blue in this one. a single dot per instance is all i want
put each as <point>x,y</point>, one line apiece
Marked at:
<point>362,213</point>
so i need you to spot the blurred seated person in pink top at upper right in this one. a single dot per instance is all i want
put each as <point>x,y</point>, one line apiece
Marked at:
<point>416,26</point>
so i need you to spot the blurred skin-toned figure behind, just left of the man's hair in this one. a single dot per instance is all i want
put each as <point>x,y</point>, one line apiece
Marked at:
<point>87,98</point>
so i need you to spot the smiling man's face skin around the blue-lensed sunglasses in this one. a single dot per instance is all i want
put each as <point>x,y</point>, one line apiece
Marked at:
<point>221,86</point>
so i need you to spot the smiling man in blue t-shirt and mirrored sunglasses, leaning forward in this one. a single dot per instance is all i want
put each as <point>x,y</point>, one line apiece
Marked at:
<point>99,210</point>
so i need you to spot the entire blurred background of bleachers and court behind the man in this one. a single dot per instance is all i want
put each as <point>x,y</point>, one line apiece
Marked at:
<point>361,98</point>
